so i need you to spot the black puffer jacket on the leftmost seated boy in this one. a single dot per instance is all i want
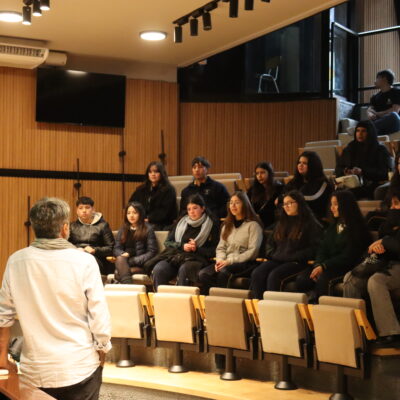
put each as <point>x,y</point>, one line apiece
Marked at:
<point>97,235</point>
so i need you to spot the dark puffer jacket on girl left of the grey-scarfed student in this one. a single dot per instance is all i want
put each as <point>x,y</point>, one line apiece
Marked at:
<point>139,251</point>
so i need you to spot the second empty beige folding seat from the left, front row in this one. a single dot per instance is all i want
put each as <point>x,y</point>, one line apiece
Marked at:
<point>176,322</point>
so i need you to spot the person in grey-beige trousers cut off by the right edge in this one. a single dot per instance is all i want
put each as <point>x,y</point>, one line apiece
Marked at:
<point>383,277</point>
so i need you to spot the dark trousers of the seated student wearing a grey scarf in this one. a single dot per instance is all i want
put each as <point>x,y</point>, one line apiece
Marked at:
<point>187,273</point>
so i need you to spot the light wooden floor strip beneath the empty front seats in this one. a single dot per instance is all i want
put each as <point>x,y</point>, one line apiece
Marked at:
<point>201,384</point>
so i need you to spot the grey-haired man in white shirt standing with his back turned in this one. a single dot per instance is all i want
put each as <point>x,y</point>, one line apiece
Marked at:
<point>57,293</point>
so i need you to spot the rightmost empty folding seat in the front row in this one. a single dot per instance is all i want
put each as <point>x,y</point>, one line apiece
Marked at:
<point>341,330</point>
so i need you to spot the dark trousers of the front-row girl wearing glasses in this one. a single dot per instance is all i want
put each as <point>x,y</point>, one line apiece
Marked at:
<point>269,276</point>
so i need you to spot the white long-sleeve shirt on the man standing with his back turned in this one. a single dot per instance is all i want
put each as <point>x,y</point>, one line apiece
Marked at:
<point>59,299</point>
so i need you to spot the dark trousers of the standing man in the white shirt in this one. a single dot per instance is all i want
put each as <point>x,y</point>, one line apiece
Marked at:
<point>88,389</point>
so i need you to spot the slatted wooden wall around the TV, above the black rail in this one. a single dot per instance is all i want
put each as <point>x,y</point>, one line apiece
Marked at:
<point>26,144</point>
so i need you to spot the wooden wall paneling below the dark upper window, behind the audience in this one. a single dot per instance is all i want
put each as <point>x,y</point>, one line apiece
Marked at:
<point>235,136</point>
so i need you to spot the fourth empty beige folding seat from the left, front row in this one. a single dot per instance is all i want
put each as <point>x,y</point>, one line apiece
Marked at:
<point>281,312</point>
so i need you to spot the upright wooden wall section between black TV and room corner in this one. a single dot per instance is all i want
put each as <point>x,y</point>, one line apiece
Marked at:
<point>151,107</point>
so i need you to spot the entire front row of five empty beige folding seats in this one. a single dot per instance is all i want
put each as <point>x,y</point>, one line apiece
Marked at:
<point>329,336</point>
